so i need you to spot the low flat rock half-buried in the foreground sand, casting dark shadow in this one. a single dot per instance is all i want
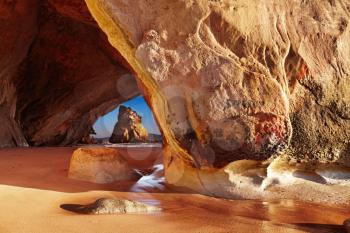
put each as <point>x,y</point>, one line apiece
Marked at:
<point>111,206</point>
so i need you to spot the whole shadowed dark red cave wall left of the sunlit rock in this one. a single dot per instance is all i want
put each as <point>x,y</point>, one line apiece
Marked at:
<point>59,73</point>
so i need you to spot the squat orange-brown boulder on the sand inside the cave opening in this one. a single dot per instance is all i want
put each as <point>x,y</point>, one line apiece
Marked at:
<point>99,165</point>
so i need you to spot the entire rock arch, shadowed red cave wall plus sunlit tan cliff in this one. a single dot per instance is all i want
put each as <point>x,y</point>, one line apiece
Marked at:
<point>227,80</point>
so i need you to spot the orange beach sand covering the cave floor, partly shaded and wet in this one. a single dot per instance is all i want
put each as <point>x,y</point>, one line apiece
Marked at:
<point>34,183</point>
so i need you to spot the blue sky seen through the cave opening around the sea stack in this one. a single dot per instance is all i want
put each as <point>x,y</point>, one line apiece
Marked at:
<point>104,125</point>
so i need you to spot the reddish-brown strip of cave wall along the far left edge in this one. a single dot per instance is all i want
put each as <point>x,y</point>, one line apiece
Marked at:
<point>18,27</point>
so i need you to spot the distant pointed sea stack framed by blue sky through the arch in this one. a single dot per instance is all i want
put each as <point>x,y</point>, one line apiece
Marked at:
<point>129,127</point>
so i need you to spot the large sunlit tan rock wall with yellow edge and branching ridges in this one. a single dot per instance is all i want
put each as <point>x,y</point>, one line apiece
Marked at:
<point>238,79</point>
